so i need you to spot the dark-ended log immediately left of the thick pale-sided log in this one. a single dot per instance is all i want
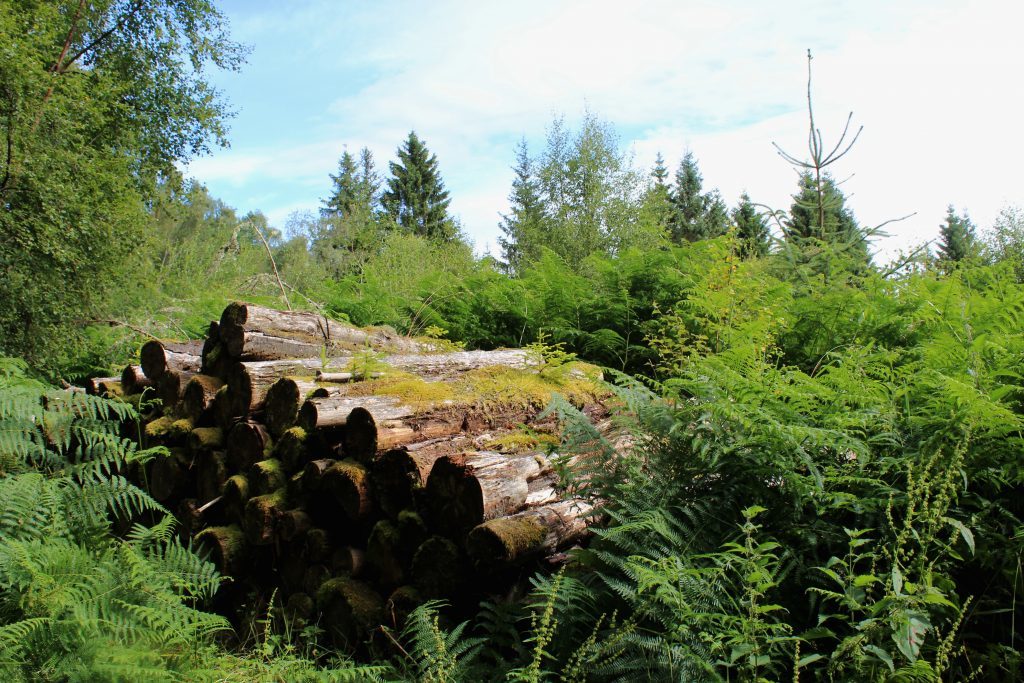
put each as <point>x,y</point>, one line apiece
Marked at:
<point>399,475</point>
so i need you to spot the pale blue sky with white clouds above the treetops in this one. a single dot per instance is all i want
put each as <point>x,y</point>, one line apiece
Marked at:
<point>931,82</point>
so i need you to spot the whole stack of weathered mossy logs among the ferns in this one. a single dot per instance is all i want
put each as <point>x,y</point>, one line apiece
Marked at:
<point>356,473</point>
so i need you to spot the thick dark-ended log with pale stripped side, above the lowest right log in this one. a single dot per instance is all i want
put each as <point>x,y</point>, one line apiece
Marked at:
<point>466,490</point>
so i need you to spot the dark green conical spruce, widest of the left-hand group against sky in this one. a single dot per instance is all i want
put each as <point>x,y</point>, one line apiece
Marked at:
<point>416,198</point>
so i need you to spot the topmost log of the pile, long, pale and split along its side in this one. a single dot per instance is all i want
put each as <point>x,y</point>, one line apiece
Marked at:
<point>310,328</point>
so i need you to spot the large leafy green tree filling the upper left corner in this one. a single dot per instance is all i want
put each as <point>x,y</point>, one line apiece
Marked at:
<point>100,100</point>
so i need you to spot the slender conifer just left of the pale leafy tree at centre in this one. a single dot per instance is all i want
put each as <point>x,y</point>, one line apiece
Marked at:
<point>525,227</point>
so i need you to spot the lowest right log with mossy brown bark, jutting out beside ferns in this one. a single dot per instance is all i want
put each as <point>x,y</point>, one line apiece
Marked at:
<point>530,534</point>
